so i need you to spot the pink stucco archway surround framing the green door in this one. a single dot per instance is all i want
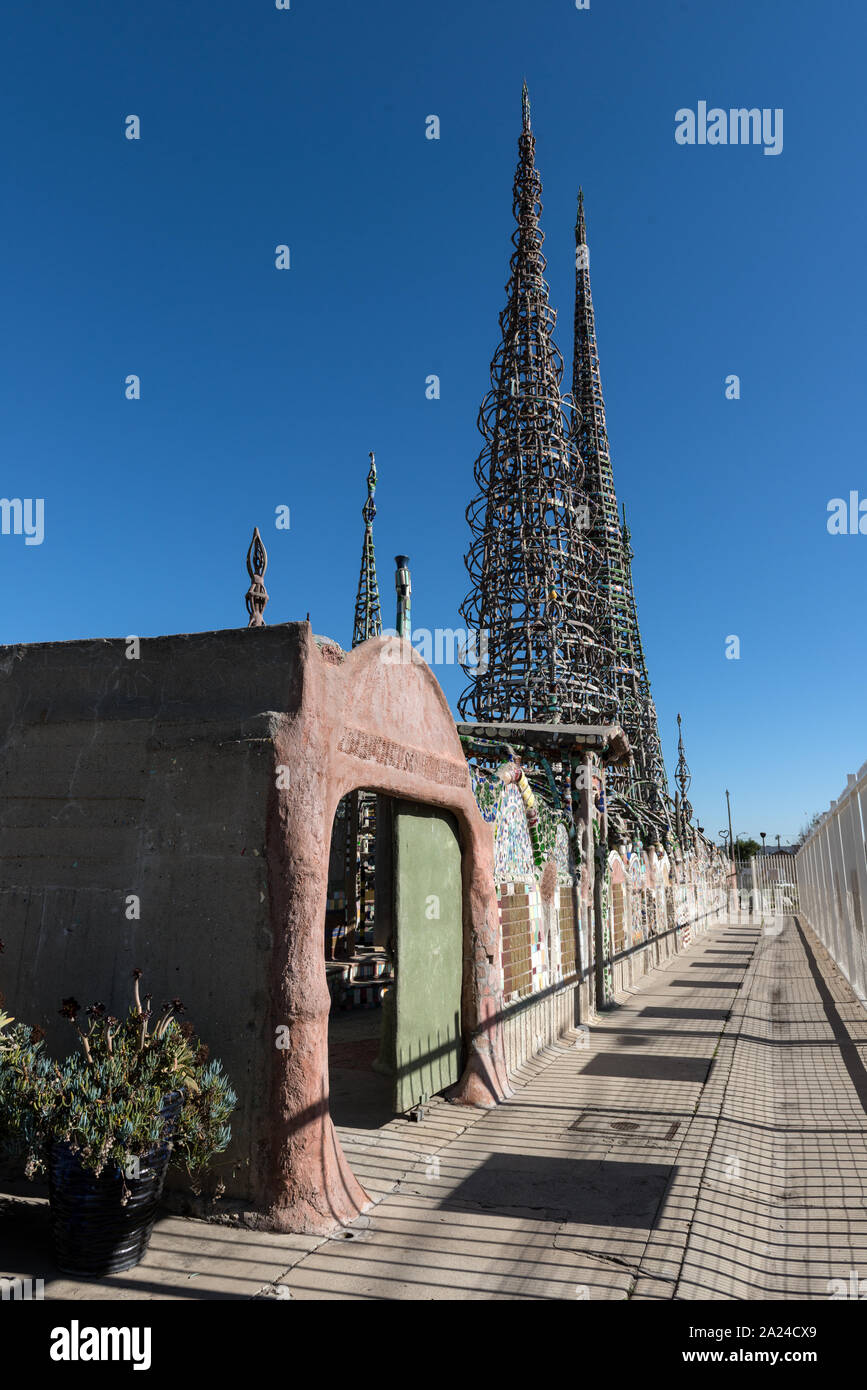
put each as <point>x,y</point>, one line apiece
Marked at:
<point>373,718</point>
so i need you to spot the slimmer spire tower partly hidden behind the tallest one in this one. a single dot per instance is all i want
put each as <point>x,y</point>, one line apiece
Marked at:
<point>627,685</point>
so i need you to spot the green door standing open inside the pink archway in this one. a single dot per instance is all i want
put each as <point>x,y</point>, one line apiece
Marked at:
<point>429,953</point>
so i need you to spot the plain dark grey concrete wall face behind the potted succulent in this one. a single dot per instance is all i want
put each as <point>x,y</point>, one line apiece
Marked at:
<point>142,779</point>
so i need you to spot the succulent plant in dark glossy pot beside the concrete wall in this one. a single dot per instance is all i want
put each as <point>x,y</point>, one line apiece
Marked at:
<point>106,1122</point>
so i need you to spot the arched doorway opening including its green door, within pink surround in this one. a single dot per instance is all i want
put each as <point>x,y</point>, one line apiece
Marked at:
<point>395,983</point>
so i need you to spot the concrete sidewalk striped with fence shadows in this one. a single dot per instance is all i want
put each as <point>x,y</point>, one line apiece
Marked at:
<point>705,1140</point>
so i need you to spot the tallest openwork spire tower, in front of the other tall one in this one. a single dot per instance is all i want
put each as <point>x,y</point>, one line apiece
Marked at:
<point>531,565</point>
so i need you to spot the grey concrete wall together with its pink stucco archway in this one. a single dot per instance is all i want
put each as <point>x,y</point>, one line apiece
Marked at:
<point>204,779</point>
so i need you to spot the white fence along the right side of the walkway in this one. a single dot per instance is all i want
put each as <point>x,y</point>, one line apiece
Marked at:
<point>832,869</point>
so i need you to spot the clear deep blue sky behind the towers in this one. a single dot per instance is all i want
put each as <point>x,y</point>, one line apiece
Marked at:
<point>265,389</point>
